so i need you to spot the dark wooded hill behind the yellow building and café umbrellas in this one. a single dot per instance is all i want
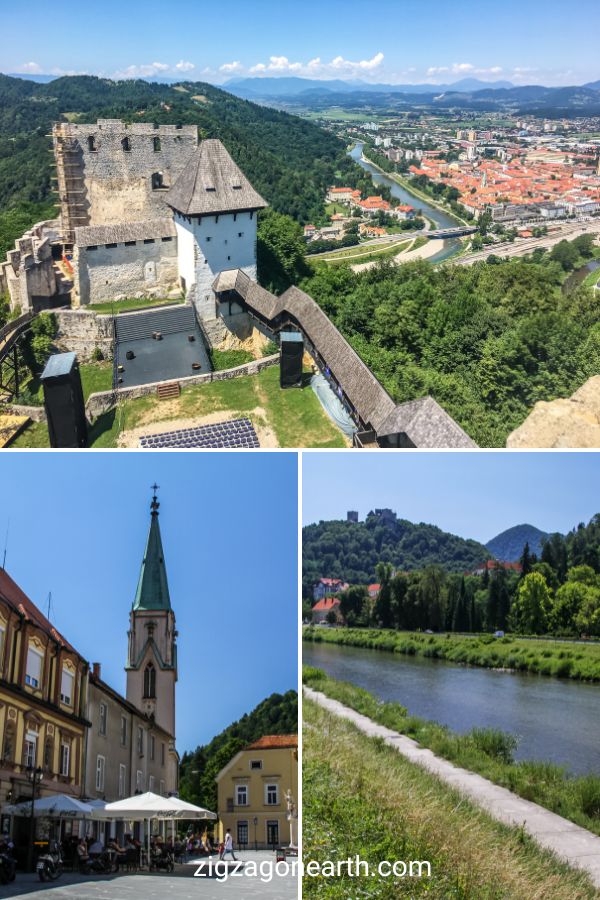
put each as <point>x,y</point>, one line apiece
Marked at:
<point>278,714</point>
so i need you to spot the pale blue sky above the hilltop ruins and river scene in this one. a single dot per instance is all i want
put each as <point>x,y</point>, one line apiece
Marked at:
<point>474,495</point>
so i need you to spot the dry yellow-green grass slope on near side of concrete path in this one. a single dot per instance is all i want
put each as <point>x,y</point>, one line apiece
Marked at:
<point>361,797</point>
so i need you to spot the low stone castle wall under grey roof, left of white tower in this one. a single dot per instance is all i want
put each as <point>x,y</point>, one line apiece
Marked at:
<point>144,268</point>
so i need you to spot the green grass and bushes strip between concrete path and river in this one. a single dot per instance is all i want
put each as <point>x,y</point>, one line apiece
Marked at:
<point>485,751</point>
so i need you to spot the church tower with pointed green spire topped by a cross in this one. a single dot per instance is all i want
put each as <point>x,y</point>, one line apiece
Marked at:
<point>152,655</point>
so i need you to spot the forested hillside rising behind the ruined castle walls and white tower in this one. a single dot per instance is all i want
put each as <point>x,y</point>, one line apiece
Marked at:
<point>289,160</point>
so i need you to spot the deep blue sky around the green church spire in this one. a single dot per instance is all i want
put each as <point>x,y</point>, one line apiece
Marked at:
<point>229,524</point>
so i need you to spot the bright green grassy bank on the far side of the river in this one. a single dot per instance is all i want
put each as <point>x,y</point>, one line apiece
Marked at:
<point>561,659</point>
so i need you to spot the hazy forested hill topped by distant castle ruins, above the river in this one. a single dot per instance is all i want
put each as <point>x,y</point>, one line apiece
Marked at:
<point>352,550</point>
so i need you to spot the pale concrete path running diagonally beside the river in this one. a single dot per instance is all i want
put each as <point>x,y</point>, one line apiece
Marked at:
<point>576,846</point>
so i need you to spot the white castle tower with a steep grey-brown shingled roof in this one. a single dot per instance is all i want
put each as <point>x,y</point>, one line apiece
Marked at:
<point>214,207</point>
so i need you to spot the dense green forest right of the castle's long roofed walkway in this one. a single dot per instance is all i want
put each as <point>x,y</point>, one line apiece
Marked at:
<point>487,341</point>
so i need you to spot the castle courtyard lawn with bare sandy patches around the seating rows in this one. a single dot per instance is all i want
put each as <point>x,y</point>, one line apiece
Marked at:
<point>295,417</point>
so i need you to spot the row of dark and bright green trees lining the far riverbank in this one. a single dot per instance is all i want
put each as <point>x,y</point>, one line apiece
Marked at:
<point>559,593</point>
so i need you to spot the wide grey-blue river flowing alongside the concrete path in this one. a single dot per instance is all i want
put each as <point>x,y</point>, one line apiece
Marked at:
<point>554,719</point>
